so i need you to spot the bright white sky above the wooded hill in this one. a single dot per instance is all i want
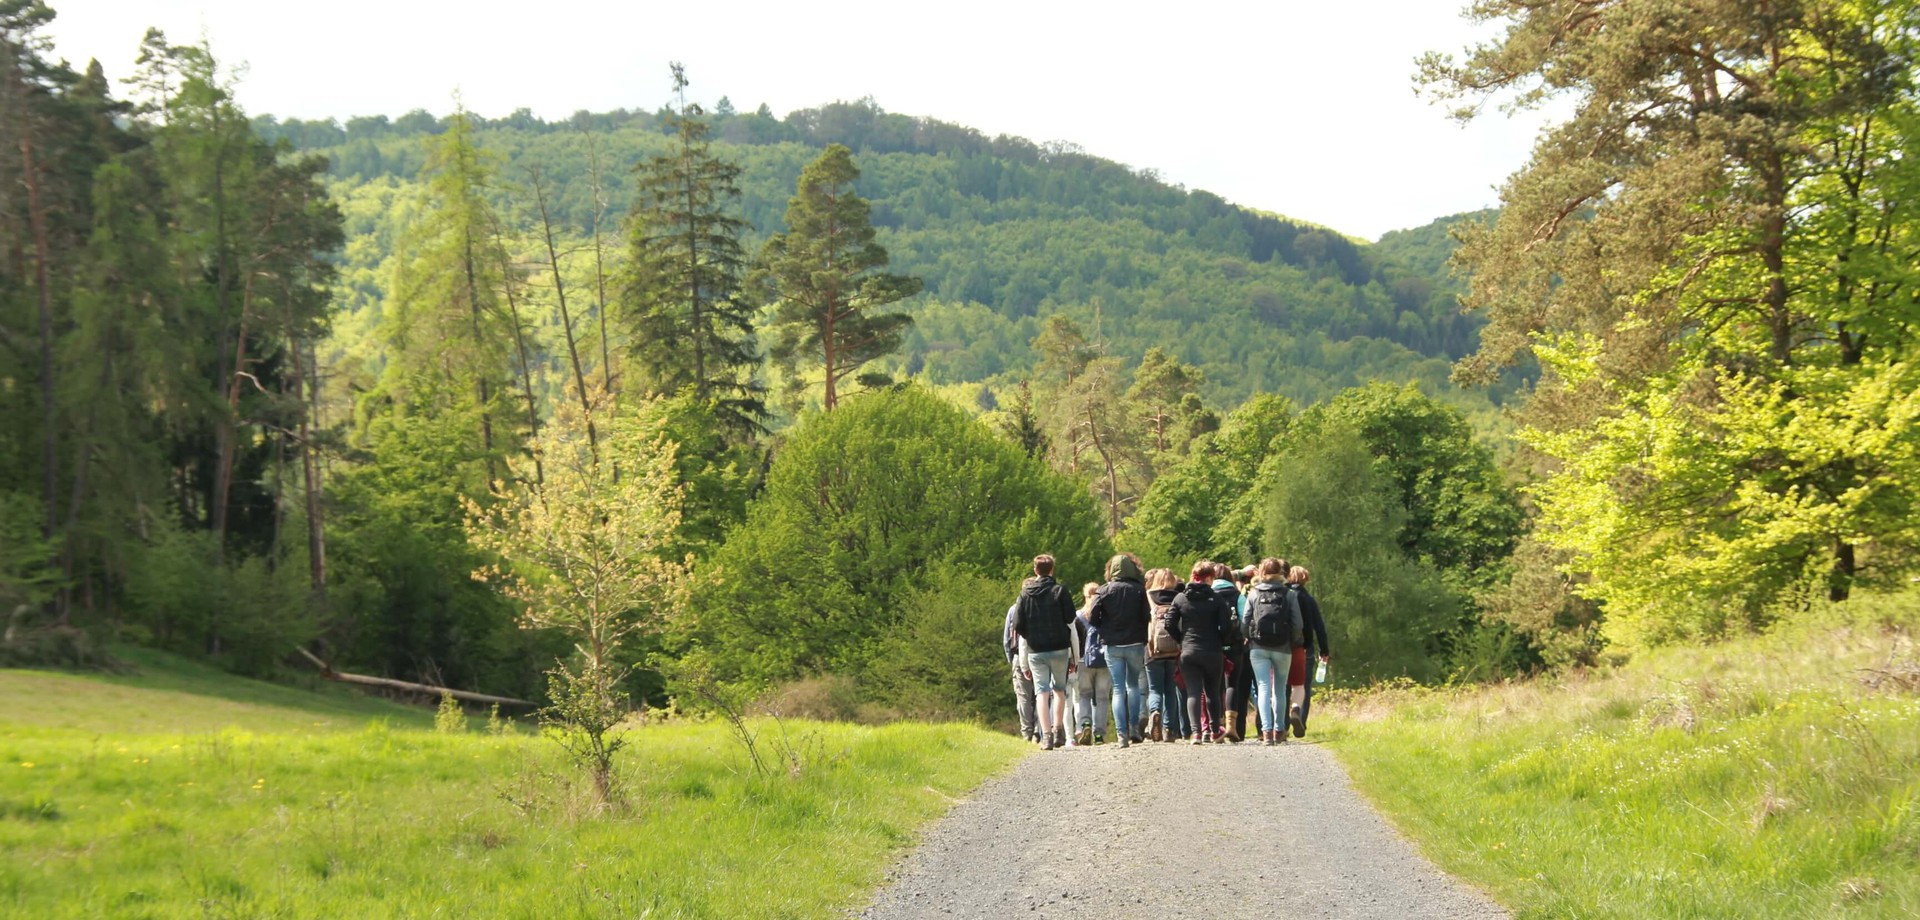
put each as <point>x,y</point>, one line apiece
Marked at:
<point>1293,107</point>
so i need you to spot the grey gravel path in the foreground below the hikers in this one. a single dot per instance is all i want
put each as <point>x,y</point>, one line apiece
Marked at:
<point>1180,836</point>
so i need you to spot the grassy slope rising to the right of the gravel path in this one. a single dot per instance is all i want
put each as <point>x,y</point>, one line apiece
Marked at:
<point>1754,779</point>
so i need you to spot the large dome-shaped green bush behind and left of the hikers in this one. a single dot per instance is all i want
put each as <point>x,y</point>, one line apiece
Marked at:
<point>861,508</point>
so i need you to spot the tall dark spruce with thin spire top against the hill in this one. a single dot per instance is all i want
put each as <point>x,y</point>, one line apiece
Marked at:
<point>688,326</point>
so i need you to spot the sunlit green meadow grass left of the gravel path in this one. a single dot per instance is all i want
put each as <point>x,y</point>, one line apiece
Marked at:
<point>181,792</point>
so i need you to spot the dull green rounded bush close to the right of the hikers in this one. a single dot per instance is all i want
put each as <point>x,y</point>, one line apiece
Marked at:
<point>1341,518</point>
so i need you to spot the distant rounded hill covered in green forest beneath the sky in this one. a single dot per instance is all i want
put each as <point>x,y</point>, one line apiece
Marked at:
<point>1003,231</point>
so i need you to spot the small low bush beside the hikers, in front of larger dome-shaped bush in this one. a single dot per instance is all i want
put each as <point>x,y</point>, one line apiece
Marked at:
<point>942,660</point>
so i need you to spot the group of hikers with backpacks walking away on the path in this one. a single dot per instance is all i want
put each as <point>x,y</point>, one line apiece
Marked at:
<point>1164,660</point>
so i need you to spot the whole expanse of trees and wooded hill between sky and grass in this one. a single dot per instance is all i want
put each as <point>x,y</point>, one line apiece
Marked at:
<point>606,408</point>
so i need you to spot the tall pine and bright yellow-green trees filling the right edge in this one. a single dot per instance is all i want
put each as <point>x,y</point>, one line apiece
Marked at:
<point>1717,285</point>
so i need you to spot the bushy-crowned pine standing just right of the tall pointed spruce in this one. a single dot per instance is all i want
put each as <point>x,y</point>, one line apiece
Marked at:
<point>827,281</point>
